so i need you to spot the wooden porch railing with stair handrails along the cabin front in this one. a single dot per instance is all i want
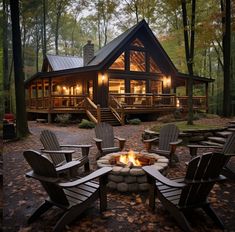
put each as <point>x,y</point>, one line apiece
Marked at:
<point>119,104</point>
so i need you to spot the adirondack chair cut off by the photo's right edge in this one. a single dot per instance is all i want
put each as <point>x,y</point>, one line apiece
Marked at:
<point>227,149</point>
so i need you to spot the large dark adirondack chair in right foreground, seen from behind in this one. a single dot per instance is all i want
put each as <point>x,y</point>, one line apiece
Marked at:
<point>181,195</point>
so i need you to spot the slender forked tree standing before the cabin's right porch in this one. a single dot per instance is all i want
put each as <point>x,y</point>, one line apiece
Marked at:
<point>189,52</point>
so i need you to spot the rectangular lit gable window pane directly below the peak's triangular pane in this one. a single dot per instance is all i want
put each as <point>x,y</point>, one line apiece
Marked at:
<point>137,61</point>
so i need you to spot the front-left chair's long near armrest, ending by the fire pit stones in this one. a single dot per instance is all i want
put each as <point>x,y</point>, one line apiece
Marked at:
<point>95,174</point>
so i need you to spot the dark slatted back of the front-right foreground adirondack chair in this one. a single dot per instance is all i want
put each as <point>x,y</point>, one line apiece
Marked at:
<point>202,173</point>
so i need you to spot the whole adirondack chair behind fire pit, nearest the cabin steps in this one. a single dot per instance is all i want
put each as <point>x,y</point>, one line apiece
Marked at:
<point>105,139</point>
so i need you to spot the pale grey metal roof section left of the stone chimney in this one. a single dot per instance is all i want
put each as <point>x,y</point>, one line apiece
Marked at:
<point>58,62</point>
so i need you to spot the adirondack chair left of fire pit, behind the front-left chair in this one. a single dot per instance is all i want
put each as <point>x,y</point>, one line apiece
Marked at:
<point>60,157</point>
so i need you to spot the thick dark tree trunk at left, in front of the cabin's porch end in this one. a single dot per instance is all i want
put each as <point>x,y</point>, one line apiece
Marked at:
<point>21,119</point>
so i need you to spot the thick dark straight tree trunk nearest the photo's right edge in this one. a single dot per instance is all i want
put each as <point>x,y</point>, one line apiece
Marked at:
<point>226,20</point>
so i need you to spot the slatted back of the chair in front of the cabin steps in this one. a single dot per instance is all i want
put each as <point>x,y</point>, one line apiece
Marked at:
<point>104,131</point>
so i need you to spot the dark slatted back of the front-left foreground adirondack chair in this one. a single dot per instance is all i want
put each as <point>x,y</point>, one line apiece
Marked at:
<point>43,167</point>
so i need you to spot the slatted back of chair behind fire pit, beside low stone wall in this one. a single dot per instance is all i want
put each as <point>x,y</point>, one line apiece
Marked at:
<point>168,133</point>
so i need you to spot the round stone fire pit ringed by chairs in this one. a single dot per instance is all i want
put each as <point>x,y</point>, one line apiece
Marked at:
<point>128,177</point>
